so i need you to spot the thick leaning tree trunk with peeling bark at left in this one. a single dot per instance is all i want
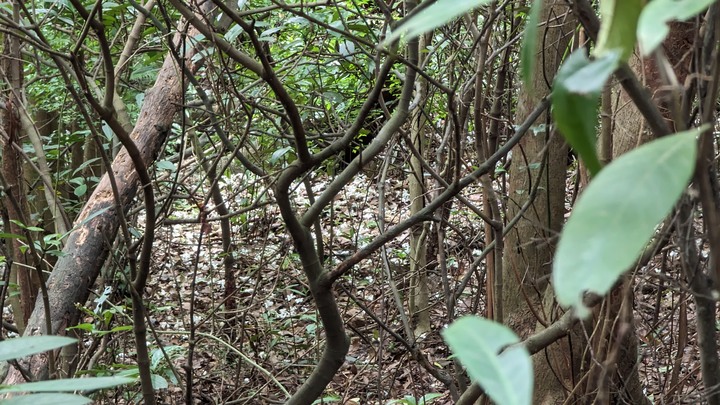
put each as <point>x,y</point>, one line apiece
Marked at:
<point>87,248</point>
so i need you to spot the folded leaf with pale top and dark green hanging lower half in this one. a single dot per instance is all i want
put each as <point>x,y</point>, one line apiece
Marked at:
<point>575,97</point>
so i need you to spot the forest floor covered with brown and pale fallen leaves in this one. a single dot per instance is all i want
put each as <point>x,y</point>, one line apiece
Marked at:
<point>263,345</point>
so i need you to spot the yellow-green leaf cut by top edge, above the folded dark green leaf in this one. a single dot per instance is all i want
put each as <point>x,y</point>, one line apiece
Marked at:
<point>619,24</point>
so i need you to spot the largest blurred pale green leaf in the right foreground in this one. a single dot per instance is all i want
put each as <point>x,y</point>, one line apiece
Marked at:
<point>616,216</point>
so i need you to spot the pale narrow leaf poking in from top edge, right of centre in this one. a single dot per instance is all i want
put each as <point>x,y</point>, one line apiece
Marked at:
<point>438,14</point>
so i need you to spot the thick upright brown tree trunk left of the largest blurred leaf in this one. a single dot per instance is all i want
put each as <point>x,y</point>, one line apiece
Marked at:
<point>539,161</point>
